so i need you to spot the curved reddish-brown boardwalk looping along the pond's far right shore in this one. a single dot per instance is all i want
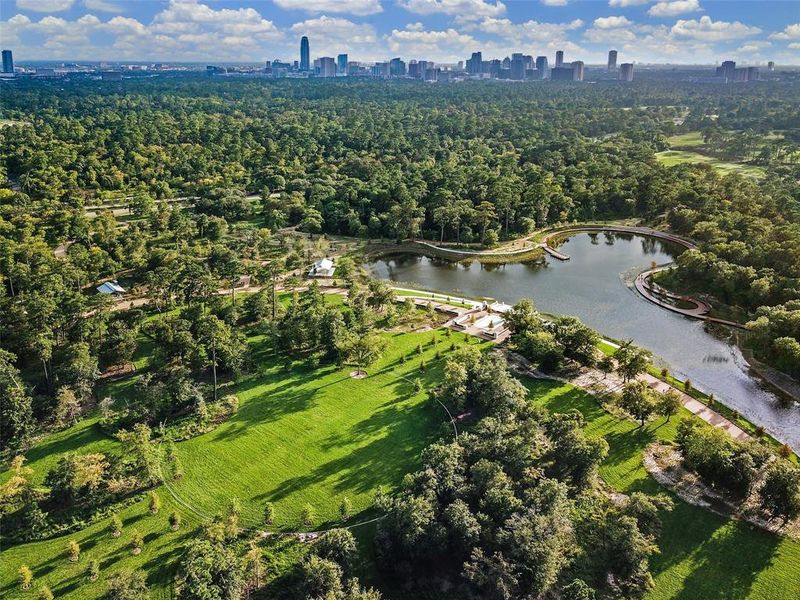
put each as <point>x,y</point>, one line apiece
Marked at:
<point>649,290</point>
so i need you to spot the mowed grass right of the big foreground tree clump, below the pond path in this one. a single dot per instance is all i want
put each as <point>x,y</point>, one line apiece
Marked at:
<point>703,556</point>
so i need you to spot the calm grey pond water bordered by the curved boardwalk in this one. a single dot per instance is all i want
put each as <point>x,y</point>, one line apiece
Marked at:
<point>596,285</point>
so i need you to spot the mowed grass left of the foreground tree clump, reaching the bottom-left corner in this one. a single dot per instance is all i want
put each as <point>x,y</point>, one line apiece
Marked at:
<point>300,436</point>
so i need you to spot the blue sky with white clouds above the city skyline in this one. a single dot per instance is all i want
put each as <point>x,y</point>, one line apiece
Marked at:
<point>664,31</point>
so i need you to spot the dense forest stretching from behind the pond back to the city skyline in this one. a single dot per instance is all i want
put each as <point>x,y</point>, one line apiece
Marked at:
<point>470,164</point>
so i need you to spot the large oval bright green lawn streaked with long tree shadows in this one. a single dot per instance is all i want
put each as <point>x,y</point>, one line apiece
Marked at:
<point>314,437</point>
